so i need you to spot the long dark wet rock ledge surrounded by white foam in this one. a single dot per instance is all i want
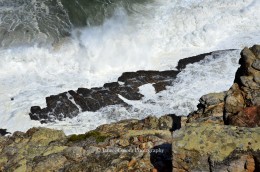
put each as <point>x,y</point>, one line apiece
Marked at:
<point>71,103</point>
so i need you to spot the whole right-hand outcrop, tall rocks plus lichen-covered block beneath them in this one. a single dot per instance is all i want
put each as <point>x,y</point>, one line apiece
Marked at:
<point>206,144</point>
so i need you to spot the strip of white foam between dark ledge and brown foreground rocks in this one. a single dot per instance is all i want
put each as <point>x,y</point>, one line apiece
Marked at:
<point>210,75</point>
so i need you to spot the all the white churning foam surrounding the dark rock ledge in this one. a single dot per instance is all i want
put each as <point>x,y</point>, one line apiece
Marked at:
<point>157,38</point>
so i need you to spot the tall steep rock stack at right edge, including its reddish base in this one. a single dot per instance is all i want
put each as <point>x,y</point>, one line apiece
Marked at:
<point>242,103</point>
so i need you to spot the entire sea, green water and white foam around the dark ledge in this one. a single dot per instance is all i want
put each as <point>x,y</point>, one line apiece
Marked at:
<point>51,46</point>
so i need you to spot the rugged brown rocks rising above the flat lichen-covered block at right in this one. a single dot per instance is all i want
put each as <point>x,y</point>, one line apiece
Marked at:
<point>240,105</point>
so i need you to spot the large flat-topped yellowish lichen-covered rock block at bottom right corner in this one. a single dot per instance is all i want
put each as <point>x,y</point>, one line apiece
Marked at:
<point>212,147</point>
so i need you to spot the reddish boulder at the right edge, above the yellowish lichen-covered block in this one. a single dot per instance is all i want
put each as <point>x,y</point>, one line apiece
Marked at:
<point>248,117</point>
